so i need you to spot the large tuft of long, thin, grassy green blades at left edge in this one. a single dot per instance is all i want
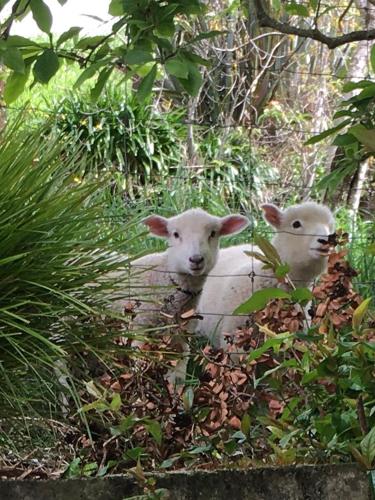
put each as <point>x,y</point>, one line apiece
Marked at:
<point>54,242</point>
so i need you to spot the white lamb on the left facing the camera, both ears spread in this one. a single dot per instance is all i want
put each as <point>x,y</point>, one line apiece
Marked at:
<point>170,282</point>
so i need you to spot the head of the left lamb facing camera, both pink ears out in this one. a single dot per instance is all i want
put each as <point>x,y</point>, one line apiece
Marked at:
<point>193,238</point>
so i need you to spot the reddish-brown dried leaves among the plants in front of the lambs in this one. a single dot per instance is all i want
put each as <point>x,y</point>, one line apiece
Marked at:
<point>165,420</point>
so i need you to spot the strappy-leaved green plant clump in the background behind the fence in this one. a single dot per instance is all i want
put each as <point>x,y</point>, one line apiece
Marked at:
<point>119,134</point>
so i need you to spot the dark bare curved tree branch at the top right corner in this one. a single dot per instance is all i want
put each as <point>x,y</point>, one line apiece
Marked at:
<point>267,21</point>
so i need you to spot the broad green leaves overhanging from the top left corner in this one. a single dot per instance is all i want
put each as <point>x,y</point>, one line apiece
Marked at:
<point>149,27</point>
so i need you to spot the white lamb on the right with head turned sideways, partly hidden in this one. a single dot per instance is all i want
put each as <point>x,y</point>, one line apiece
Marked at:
<point>301,241</point>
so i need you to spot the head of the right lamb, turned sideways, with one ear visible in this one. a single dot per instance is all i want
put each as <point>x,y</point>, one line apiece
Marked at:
<point>302,234</point>
